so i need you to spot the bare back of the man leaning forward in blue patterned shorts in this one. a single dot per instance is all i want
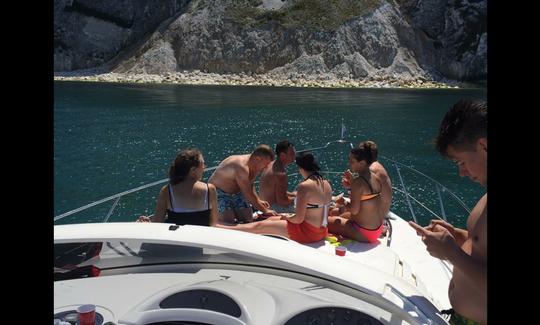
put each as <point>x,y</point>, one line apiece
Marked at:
<point>229,171</point>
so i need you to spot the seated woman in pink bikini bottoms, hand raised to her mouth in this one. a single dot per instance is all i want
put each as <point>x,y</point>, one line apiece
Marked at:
<point>368,207</point>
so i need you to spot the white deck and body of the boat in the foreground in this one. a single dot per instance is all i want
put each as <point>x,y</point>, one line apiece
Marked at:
<point>400,284</point>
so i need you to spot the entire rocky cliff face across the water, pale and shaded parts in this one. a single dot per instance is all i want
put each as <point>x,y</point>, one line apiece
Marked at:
<point>359,39</point>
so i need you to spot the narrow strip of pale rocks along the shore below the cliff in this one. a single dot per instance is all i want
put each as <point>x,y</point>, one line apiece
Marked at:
<point>300,80</point>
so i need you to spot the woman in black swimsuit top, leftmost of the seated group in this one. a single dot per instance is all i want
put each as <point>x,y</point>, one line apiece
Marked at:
<point>186,200</point>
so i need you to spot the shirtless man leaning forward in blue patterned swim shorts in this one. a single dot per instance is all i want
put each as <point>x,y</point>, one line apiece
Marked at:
<point>234,178</point>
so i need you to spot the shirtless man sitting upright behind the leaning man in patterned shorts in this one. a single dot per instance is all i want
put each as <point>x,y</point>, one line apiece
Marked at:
<point>274,180</point>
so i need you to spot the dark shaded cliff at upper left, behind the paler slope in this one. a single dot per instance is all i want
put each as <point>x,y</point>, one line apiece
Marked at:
<point>89,33</point>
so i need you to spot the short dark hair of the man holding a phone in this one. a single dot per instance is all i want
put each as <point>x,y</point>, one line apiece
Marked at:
<point>462,125</point>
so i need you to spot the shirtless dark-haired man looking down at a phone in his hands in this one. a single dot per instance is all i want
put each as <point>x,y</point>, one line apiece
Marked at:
<point>463,138</point>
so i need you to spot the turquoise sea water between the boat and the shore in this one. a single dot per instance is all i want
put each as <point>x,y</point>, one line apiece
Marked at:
<point>109,138</point>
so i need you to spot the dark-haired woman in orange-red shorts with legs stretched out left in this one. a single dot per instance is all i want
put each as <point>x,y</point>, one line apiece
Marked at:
<point>313,197</point>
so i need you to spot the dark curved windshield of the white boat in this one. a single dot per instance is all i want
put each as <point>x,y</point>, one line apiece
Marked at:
<point>86,259</point>
